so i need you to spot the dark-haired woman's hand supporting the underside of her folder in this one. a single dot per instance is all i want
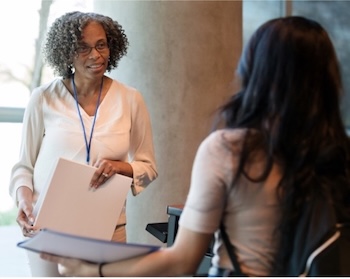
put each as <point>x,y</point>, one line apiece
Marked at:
<point>72,267</point>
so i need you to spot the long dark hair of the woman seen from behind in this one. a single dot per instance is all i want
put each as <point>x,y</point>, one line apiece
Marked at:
<point>290,93</point>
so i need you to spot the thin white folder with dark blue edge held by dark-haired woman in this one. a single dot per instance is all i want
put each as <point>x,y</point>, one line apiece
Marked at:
<point>87,249</point>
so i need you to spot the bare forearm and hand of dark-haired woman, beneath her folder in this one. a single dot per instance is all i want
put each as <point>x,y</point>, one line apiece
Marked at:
<point>183,258</point>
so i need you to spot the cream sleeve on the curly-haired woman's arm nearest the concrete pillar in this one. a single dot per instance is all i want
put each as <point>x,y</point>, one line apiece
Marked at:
<point>141,153</point>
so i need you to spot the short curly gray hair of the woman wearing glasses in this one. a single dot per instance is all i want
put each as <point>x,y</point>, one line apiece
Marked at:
<point>65,33</point>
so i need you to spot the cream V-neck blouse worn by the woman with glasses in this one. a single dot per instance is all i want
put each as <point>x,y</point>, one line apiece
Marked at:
<point>52,129</point>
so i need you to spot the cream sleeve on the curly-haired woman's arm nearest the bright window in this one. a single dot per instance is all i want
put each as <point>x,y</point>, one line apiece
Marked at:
<point>32,135</point>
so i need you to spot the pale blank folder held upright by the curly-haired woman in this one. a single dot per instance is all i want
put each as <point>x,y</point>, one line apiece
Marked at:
<point>70,206</point>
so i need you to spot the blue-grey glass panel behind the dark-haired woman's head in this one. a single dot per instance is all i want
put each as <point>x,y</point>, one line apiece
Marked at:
<point>332,15</point>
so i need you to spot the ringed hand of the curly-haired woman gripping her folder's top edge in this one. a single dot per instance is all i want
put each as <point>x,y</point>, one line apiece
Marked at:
<point>107,168</point>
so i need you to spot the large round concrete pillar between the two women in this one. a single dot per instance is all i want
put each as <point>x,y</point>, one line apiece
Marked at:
<point>182,57</point>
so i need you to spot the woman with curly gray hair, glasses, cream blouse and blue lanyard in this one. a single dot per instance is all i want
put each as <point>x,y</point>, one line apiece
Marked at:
<point>84,116</point>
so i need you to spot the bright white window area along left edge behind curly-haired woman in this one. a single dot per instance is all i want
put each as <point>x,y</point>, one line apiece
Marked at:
<point>19,21</point>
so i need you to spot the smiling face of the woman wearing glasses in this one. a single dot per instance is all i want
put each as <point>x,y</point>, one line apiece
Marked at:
<point>92,63</point>
